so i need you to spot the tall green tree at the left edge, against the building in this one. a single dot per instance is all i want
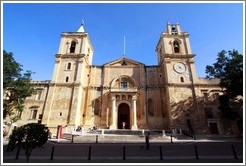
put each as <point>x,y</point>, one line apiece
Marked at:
<point>17,87</point>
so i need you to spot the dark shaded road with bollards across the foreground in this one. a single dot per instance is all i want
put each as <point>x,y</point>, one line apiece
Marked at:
<point>157,152</point>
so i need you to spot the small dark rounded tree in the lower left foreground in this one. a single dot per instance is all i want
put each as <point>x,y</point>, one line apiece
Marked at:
<point>28,137</point>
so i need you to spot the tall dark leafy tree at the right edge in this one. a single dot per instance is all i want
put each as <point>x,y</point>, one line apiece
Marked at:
<point>229,69</point>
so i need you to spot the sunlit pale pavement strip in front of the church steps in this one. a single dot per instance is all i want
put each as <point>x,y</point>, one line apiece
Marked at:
<point>110,138</point>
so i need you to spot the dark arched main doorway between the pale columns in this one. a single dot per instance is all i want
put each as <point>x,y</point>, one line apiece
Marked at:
<point>123,116</point>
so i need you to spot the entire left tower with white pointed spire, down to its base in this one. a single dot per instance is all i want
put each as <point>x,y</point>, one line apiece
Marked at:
<point>71,70</point>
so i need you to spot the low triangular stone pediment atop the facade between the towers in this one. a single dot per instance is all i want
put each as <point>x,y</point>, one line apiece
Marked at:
<point>124,62</point>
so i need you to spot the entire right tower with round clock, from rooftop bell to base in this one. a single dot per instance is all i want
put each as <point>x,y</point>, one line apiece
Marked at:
<point>176,63</point>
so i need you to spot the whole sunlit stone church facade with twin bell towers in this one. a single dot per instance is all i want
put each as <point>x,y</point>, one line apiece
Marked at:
<point>163,96</point>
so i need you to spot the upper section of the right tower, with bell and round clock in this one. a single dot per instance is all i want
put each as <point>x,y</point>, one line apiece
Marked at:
<point>175,56</point>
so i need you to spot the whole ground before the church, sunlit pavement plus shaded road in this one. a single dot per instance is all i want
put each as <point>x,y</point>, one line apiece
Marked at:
<point>98,148</point>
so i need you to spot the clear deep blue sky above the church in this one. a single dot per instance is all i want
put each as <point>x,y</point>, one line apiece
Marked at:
<point>32,31</point>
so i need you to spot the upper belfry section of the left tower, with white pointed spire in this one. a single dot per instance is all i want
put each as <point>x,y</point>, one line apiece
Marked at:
<point>75,53</point>
